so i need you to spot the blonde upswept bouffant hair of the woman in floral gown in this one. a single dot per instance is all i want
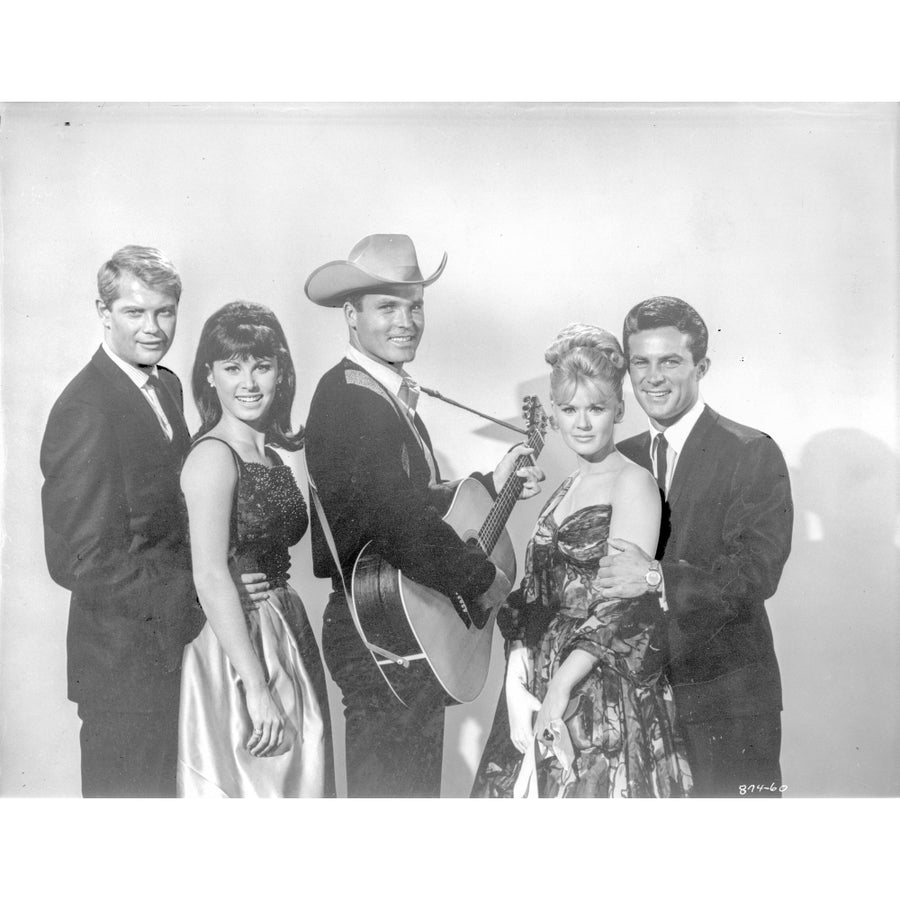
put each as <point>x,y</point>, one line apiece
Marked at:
<point>584,354</point>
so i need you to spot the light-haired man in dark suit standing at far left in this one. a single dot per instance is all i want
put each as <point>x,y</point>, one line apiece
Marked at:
<point>116,532</point>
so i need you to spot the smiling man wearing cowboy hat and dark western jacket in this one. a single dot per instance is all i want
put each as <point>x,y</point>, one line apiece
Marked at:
<point>372,461</point>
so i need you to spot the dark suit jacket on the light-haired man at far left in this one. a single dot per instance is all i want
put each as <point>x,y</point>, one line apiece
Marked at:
<point>115,534</point>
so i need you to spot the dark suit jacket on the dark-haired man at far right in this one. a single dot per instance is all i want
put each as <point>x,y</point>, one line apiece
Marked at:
<point>726,536</point>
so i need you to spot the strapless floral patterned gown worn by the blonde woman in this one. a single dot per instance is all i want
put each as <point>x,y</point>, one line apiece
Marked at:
<point>635,750</point>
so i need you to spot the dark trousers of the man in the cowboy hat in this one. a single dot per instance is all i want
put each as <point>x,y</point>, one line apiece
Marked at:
<point>392,750</point>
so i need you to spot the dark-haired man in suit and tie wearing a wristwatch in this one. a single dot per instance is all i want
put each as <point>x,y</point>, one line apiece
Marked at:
<point>726,535</point>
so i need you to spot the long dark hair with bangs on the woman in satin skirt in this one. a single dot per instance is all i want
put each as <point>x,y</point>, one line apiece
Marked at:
<point>240,330</point>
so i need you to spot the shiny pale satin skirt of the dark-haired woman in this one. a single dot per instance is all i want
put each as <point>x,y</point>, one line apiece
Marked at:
<point>214,726</point>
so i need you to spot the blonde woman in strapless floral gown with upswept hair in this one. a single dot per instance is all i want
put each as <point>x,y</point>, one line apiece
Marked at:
<point>585,705</point>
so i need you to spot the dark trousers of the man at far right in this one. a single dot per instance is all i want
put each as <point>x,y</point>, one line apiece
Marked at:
<point>735,757</point>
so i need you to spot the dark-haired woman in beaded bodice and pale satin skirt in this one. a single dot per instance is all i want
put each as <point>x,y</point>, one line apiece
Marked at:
<point>254,717</point>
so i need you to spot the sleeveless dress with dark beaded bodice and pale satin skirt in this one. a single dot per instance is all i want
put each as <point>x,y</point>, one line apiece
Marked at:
<point>268,516</point>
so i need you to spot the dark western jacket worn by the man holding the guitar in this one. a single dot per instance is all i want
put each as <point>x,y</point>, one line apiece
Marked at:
<point>373,481</point>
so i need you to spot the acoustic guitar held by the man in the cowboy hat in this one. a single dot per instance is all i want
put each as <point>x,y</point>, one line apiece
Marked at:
<point>416,633</point>
